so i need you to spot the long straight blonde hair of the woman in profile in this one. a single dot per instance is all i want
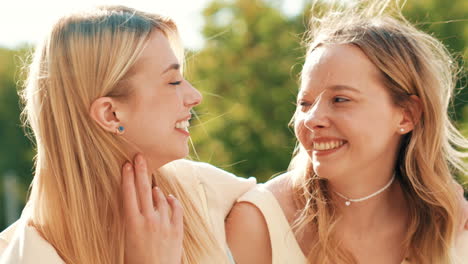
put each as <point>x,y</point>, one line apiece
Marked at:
<point>75,200</point>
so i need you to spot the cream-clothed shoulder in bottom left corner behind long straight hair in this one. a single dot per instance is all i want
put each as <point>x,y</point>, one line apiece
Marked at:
<point>24,245</point>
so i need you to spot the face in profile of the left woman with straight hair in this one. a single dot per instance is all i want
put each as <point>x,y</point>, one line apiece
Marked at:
<point>156,115</point>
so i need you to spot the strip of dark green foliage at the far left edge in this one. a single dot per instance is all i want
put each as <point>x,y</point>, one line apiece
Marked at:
<point>16,152</point>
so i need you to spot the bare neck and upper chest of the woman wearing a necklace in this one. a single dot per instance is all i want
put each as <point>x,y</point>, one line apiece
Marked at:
<point>374,230</point>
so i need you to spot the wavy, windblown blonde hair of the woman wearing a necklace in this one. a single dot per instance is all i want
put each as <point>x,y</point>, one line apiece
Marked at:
<point>410,62</point>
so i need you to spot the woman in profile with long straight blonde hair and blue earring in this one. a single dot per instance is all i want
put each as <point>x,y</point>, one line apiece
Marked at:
<point>105,85</point>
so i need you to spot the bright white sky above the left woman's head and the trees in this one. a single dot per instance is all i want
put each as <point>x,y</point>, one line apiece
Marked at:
<point>25,21</point>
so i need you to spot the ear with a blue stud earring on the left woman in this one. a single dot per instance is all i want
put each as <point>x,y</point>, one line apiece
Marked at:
<point>103,112</point>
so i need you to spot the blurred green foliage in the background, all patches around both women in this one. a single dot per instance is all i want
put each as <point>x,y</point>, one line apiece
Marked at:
<point>248,74</point>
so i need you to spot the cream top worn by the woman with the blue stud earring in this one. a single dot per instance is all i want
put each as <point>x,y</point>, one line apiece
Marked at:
<point>216,190</point>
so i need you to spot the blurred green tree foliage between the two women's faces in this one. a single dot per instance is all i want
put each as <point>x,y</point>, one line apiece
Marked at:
<point>247,73</point>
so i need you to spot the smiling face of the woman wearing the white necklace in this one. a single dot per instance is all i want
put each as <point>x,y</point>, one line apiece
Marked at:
<point>345,118</point>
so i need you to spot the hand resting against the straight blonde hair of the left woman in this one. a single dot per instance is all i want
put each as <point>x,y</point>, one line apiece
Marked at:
<point>153,224</point>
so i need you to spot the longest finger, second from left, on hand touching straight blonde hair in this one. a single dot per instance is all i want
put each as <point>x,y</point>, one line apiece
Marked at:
<point>143,185</point>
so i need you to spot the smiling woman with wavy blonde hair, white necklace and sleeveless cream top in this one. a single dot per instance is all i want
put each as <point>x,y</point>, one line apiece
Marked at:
<point>372,178</point>
